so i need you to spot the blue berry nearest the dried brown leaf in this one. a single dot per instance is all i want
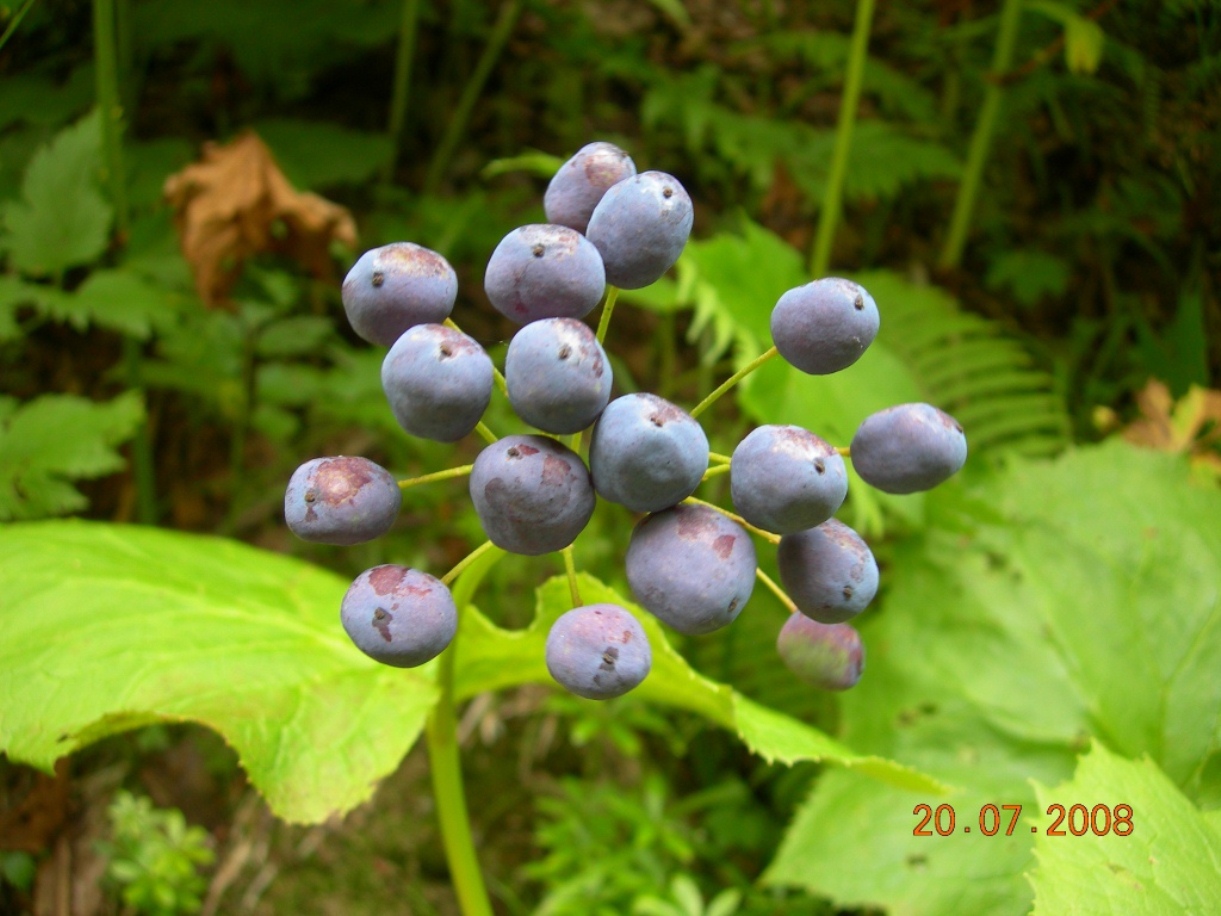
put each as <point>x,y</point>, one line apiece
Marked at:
<point>395,288</point>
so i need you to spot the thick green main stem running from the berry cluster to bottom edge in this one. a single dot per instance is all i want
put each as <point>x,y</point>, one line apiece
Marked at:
<point>444,759</point>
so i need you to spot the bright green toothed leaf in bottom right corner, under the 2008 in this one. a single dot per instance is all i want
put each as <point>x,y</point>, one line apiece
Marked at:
<point>1169,860</point>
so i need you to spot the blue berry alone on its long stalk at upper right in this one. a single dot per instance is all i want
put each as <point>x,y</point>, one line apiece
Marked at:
<point>826,325</point>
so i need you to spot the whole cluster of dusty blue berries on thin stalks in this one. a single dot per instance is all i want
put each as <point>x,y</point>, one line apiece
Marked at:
<point>689,564</point>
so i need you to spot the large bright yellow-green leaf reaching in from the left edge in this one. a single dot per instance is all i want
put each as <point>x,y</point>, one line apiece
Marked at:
<point>104,628</point>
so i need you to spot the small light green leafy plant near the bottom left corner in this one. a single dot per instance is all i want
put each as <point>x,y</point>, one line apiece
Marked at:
<point>156,858</point>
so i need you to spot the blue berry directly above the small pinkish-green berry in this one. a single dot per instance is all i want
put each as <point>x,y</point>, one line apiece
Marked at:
<point>828,571</point>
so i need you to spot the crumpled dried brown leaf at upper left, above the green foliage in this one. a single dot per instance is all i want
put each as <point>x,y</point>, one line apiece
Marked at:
<point>236,203</point>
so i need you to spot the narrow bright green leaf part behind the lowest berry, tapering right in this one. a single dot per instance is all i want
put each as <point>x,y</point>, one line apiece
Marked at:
<point>491,659</point>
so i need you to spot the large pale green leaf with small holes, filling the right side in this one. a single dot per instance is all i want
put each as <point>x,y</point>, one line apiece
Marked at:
<point>1075,599</point>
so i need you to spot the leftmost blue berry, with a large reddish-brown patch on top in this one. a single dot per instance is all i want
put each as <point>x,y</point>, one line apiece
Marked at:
<point>341,501</point>
